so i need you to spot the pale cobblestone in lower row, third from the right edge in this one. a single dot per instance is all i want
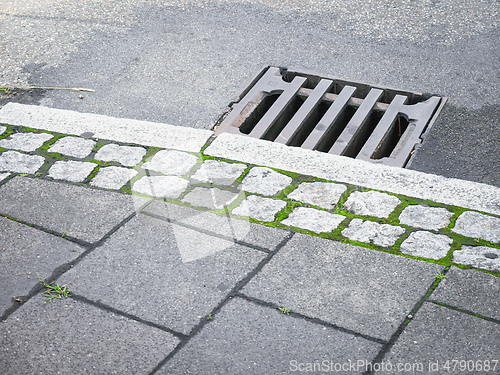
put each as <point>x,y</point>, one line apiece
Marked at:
<point>370,232</point>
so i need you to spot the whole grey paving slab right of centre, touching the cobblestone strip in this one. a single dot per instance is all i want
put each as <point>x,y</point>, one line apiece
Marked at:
<point>367,291</point>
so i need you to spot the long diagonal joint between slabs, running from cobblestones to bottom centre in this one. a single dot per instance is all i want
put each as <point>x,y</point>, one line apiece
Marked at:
<point>231,294</point>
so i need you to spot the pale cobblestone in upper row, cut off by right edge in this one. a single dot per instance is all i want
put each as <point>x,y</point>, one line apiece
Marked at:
<point>476,225</point>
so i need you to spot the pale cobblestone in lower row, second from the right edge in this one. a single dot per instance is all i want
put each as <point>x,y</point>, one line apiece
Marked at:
<point>426,245</point>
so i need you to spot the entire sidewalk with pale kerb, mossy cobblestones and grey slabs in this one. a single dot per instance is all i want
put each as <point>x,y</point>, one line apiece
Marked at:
<point>190,254</point>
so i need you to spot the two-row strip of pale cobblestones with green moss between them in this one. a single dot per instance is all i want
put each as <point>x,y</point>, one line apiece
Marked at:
<point>329,209</point>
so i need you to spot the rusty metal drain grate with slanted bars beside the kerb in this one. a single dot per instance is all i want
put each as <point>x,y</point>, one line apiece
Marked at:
<point>334,116</point>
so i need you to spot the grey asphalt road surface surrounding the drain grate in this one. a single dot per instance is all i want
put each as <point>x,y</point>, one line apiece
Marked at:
<point>182,62</point>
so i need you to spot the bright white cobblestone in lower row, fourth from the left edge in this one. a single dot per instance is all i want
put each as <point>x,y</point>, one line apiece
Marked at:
<point>161,186</point>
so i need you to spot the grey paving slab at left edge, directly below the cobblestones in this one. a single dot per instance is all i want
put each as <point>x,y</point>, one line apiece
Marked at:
<point>84,213</point>
